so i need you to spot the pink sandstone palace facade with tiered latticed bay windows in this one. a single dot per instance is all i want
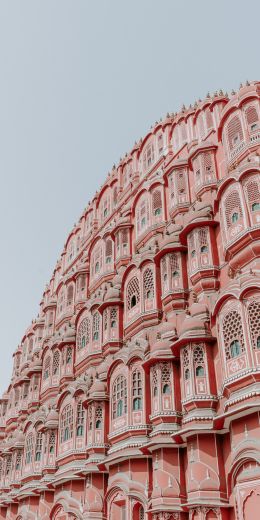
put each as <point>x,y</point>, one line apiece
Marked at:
<point>135,393</point>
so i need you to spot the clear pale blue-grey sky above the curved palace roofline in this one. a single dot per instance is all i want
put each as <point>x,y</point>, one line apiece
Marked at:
<point>79,82</point>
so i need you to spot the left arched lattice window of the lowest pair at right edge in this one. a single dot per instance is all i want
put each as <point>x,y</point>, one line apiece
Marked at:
<point>233,334</point>
